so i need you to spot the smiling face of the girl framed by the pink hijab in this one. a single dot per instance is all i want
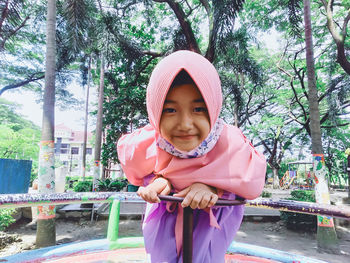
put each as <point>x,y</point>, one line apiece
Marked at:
<point>185,120</point>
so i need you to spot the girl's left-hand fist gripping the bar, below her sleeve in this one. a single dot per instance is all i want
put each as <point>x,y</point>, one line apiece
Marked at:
<point>160,186</point>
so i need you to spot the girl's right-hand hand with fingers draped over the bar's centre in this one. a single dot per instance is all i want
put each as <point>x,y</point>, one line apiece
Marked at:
<point>198,195</point>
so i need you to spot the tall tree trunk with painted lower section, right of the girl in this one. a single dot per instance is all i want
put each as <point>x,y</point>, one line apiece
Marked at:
<point>326,237</point>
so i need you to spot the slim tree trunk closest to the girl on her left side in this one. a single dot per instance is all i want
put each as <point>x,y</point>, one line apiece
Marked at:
<point>99,126</point>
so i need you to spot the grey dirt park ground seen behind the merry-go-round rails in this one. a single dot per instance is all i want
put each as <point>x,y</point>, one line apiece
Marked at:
<point>254,230</point>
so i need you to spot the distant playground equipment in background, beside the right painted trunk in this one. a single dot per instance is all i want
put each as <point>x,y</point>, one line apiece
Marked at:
<point>294,177</point>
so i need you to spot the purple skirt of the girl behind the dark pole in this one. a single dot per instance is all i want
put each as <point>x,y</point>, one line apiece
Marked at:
<point>209,243</point>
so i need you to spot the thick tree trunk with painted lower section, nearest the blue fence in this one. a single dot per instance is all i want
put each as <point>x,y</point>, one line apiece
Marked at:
<point>46,229</point>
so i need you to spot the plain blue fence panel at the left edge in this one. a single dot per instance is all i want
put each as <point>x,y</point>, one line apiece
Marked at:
<point>14,176</point>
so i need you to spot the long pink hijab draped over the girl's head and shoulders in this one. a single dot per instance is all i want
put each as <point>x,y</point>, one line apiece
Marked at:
<point>232,165</point>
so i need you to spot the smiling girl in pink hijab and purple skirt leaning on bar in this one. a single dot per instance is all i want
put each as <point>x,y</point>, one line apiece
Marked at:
<point>188,150</point>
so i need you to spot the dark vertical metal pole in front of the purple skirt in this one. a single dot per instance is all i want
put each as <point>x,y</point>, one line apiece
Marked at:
<point>187,241</point>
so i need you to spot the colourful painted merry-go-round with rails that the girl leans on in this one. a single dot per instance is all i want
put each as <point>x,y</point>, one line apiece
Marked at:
<point>104,250</point>
